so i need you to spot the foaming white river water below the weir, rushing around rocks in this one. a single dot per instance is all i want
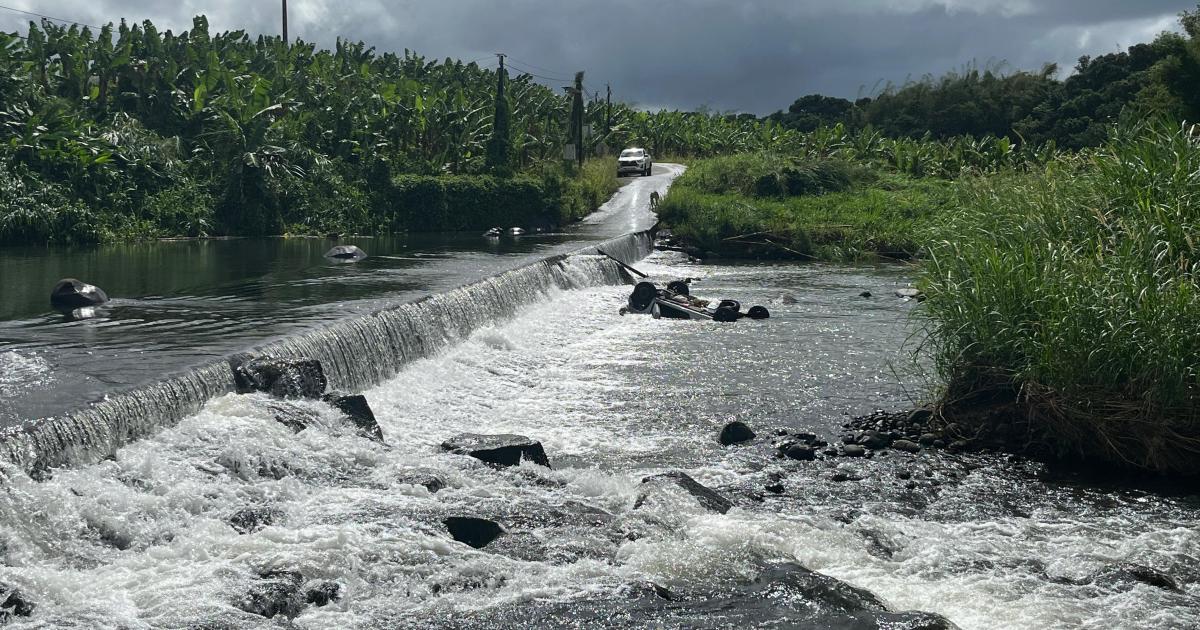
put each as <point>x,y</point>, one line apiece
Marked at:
<point>143,539</point>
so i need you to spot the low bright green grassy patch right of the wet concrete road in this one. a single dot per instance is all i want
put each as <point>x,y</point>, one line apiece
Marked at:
<point>759,206</point>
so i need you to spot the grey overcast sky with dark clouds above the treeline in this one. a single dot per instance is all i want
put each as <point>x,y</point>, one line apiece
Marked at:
<point>753,56</point>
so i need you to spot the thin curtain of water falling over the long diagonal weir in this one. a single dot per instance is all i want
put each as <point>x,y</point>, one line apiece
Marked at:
<point>356,353</point>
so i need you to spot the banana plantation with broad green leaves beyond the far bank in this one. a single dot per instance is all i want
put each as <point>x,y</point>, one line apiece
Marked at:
<point>130,133</point>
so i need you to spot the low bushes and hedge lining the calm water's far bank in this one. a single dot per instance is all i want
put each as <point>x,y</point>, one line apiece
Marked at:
<point>34,212</point>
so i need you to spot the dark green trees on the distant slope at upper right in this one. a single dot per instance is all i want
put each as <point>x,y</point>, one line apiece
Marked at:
<point>1161,77</point>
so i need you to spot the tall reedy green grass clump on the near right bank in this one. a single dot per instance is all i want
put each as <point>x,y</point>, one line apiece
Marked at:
<point>1075,290</point>
